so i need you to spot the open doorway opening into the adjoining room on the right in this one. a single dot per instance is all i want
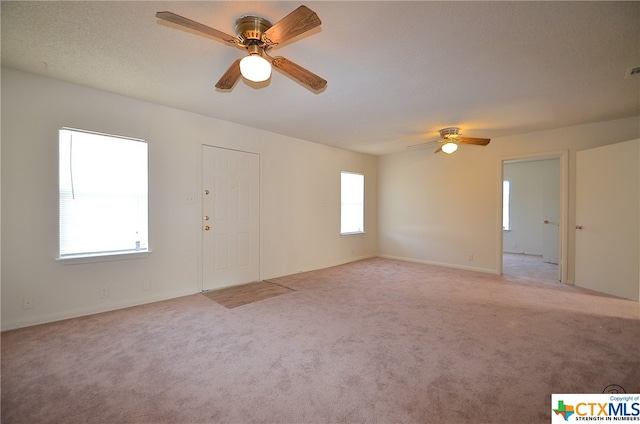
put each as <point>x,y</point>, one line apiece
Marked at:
<point>532,218</point>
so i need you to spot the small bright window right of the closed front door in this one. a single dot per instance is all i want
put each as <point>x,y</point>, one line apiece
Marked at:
<point>352,203</point>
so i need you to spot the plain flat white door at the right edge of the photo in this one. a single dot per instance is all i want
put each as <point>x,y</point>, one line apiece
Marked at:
<point>608,219</point>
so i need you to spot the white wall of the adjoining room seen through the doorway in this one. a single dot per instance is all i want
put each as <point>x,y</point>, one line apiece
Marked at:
<point>526,204</point>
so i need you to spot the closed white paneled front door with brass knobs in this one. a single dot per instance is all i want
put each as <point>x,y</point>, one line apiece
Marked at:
<point>230,217</point>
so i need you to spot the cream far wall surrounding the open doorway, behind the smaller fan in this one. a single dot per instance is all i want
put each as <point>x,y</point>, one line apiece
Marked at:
<point>440,209</point>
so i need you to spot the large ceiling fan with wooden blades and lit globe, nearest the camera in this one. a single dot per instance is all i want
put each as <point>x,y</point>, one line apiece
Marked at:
<point>257,35</point>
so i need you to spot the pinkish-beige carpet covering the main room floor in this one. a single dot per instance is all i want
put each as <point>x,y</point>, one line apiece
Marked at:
<point>375,341</point>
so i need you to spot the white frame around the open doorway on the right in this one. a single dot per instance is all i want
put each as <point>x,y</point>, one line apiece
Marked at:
<point>563,157</point>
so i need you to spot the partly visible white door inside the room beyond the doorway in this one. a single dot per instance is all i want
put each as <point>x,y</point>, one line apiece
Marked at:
<point>551,212</point>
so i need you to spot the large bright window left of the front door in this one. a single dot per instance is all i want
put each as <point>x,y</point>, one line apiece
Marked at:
<point>103,184</point>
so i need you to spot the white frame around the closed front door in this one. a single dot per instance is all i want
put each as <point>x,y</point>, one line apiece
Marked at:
<point>200,176</point>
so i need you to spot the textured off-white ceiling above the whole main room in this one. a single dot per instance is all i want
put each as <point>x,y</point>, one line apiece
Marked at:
<point>397,72</point>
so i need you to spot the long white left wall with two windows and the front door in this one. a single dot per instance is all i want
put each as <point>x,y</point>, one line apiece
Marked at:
<point>300,200</point>
